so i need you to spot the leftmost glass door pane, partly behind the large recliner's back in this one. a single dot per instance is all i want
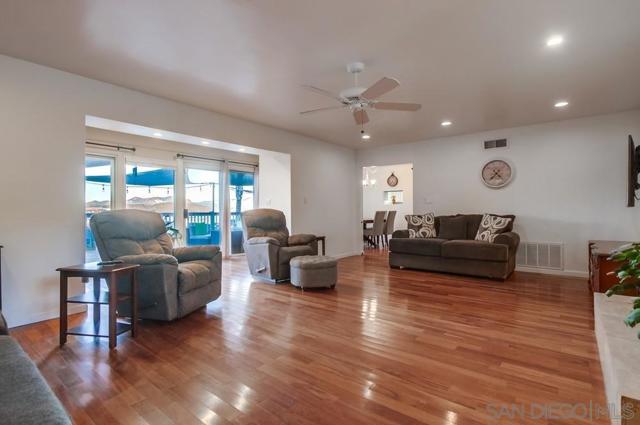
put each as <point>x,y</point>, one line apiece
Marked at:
<point>98,197</point>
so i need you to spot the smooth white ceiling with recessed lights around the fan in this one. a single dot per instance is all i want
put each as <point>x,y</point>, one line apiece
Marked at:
<point>482,64</point>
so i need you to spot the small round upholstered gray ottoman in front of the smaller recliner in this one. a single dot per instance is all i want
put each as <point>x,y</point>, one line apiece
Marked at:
<point>314,271</point>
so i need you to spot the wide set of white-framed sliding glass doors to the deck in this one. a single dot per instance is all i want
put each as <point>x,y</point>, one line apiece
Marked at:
<point>201,199</point>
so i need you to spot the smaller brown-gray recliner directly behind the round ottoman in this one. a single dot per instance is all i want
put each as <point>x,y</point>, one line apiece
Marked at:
<point>268,246</point>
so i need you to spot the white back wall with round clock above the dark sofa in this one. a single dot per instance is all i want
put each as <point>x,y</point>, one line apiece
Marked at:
<point>569,186</point>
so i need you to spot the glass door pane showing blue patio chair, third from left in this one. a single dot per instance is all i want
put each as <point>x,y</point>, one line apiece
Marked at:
<point>202,210</point>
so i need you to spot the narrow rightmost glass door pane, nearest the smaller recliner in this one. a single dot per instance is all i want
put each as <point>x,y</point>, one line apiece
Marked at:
<point>241,198</point>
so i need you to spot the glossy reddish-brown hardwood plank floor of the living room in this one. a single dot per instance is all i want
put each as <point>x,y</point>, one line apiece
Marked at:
<point>386,347</point>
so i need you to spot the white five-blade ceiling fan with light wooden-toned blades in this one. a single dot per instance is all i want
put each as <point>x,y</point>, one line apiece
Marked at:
<point>358,99</point>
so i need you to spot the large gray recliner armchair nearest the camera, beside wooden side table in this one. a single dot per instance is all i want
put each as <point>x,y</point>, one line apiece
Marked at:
<point>172,282</point>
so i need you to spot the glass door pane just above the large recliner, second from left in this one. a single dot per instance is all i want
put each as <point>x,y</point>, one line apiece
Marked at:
<point>151,188</point>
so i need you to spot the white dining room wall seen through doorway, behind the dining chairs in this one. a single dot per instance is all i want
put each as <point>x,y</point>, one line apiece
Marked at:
<point>373,195</point>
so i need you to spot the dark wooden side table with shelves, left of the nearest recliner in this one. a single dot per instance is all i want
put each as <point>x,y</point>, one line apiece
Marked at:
<point>97,328</point>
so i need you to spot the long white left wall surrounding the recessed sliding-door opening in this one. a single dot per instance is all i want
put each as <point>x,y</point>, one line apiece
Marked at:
<point>42,134</point>
